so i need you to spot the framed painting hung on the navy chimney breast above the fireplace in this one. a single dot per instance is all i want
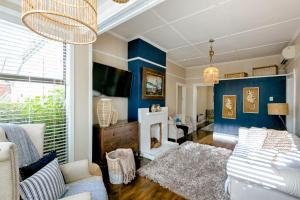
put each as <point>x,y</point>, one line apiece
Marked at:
<point>153,84</point>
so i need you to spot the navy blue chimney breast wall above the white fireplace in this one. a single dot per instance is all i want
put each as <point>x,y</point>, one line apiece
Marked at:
<point>139,48</point>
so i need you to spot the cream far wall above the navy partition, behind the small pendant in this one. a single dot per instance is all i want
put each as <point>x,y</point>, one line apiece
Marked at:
<point>194,75</point>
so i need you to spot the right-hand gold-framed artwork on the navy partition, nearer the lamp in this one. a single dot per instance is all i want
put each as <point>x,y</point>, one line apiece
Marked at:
<point>251,100</point>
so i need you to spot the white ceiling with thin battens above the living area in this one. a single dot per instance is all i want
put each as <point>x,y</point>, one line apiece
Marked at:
<point>242,28</point>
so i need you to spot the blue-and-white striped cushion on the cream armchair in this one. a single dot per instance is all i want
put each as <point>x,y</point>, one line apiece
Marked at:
<point>46,184</point>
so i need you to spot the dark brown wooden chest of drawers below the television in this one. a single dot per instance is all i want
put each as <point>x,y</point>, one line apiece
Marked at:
<point>120,135</point>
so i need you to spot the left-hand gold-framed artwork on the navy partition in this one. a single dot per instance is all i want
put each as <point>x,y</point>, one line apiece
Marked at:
<point>229,107</point>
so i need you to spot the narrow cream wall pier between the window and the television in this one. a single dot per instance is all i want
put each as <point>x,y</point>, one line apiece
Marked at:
<point>82,115</point>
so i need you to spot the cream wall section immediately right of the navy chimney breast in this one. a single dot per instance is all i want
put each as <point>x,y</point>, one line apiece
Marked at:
<point>175,74</point>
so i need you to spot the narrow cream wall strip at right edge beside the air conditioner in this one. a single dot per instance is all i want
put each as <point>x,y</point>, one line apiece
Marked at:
<point>295,65</point>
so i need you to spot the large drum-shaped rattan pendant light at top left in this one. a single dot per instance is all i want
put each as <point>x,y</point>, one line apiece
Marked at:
<point>69,21</point>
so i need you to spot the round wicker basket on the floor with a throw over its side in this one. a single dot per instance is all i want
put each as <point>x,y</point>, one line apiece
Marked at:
<point>114,168</point>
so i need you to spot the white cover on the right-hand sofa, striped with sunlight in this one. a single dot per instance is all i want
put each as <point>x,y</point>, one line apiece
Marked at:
<point>268,168</point>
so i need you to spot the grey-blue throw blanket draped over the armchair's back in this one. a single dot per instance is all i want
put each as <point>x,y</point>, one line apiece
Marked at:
<point>26,151</point>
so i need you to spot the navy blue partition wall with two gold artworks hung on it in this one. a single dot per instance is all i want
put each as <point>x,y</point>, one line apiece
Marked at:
<point>269,87</point>
